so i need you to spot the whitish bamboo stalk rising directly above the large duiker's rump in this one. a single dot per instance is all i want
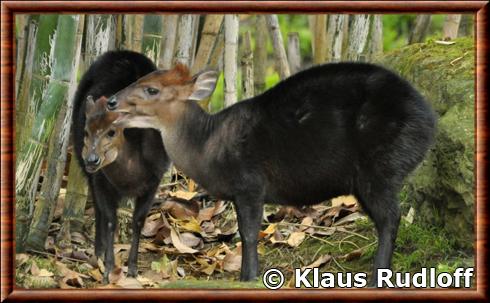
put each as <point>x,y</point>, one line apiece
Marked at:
<point>358,34</point>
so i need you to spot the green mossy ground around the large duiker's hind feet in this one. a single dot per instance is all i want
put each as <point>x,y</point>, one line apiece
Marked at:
<point>417,246</point>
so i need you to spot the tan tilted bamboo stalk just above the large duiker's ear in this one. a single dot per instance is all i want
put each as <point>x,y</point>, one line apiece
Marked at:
<point>209,36</point>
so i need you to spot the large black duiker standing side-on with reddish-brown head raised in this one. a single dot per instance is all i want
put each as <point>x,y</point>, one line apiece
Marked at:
<point>344,128</point>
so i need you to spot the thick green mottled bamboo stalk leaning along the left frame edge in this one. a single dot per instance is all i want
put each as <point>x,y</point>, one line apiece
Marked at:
<point>66,48</point>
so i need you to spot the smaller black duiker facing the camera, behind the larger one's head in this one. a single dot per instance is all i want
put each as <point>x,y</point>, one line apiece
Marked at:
<point>117,163</point>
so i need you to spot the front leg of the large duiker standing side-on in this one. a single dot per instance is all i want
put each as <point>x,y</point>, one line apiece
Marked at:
<point>249,215</point>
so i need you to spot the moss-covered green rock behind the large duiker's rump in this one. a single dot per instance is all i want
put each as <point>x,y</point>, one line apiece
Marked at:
<point>442,188</point>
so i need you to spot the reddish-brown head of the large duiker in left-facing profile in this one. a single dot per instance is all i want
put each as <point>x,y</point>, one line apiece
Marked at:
<point>158,99</point>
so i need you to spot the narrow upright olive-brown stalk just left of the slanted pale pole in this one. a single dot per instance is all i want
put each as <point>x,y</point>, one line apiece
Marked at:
<point>260,54</point>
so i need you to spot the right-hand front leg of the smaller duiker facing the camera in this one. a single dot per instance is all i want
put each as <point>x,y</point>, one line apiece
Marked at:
<point>143,205</point>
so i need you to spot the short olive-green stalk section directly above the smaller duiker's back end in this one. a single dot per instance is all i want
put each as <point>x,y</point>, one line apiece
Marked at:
<point>152,36</point>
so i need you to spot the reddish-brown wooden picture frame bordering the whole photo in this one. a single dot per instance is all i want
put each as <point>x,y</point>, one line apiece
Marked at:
<point>9,8</point>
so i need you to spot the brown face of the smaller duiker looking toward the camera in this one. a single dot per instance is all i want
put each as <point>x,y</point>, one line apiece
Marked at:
<point>103,140</point>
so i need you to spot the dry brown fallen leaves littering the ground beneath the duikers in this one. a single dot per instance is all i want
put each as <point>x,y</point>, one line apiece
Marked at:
<point>186,235</point>
